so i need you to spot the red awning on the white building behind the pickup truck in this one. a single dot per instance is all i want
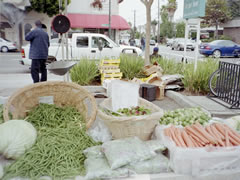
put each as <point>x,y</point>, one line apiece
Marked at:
<point>97,21</point>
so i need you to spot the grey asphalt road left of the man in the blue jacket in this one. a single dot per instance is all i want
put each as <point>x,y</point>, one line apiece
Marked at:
<point>9,64</point>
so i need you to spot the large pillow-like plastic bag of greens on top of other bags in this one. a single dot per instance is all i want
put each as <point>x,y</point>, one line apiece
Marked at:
<point>124,151</point>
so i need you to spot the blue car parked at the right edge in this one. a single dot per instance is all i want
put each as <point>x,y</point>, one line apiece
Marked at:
<point>220,48</point>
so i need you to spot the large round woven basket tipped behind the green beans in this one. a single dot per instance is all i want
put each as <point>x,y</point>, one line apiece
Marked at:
<point>63,94</point>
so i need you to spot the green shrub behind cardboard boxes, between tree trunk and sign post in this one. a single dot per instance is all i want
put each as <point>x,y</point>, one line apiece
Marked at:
<point>169,66</point>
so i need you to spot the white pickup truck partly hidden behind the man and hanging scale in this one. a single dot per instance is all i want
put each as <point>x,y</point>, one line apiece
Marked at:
<point>91,45</point>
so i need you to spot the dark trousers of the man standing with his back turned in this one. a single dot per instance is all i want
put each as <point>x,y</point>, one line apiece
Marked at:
<point>38,66</point>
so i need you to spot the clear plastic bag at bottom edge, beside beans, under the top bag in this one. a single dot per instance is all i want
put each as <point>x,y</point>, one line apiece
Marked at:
<point>98,168</point>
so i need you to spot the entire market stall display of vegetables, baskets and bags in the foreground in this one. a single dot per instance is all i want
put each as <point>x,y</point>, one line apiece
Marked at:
<point>57,135</point>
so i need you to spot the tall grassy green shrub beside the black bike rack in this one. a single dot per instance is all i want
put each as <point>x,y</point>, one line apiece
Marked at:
<point>197,82</point>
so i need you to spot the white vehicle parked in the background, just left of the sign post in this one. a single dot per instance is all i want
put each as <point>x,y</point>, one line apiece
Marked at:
<point>178,44</point>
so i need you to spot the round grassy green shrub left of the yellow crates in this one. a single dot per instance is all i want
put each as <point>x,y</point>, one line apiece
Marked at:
<point>84,72</point>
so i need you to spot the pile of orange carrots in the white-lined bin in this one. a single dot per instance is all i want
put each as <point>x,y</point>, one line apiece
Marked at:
<point>196,135</point>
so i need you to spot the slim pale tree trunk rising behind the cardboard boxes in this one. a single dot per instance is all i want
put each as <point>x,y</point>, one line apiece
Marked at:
<point>148,33</point>
